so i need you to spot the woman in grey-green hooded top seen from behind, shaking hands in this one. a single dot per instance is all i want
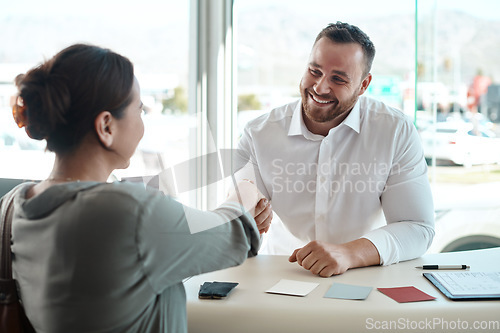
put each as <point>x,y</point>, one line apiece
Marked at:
<point>92,256</point>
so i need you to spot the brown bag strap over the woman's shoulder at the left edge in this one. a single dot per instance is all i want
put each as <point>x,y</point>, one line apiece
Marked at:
<point>7,215</point>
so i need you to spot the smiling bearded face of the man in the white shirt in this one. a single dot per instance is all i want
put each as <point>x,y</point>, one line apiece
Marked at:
<point>332,82</point>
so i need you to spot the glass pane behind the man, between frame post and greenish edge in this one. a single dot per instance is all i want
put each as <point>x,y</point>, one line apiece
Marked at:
<point>270,67</point>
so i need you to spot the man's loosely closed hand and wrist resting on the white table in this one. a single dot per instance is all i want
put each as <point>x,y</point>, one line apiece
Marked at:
<point>325,259</point>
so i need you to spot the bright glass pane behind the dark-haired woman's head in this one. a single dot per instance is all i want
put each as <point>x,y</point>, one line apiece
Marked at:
<point>153,34</point>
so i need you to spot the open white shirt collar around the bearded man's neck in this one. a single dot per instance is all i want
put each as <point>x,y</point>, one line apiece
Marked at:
<point>298,127</point>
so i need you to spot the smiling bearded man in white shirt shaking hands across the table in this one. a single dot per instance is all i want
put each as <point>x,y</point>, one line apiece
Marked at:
<point>345,173</point>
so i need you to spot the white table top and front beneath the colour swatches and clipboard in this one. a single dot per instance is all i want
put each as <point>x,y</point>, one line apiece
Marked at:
<point>249,309</point>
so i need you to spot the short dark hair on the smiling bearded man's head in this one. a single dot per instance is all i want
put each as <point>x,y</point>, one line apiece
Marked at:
<point>345,33</point>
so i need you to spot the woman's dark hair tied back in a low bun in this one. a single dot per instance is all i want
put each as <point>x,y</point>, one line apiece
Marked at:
<point>62,97</point>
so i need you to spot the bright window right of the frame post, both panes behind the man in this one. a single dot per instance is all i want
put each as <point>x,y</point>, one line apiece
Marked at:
<point>443,52</point>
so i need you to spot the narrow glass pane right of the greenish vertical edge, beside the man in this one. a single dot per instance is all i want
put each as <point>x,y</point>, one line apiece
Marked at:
<point>458,115</point>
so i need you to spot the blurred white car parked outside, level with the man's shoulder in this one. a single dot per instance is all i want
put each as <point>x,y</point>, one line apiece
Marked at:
<point>461,142</point>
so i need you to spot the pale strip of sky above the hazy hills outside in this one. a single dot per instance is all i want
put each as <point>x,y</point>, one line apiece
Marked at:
<point>488,9</point>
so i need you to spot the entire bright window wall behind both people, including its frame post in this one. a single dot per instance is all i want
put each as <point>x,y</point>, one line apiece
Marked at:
<point>435,61</point>
